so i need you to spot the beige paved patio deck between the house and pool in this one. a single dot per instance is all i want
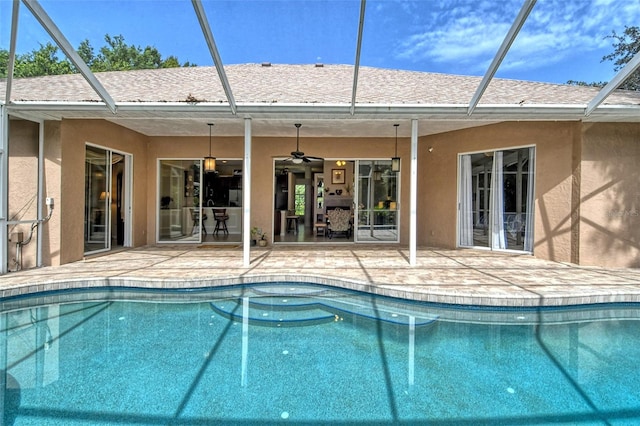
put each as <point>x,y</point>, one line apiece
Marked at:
<point>466,277</point>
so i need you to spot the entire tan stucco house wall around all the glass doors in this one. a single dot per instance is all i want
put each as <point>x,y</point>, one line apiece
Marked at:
<point>586,201</point>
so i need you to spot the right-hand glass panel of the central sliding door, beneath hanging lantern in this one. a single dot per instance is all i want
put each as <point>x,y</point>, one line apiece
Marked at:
<point>377,211</point>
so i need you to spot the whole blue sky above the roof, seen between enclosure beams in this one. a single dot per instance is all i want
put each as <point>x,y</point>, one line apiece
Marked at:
<point>561,40</point>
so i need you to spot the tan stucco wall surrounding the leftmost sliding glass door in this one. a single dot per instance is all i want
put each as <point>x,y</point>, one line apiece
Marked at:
<point>74,135</point>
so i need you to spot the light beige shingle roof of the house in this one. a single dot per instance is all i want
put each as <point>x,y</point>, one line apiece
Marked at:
<point>306,84</point>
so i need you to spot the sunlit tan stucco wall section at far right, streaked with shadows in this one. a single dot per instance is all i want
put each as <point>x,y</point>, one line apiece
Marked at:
<point>610,195</point>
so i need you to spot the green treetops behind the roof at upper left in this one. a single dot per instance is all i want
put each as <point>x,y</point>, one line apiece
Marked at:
<point>116,55</point>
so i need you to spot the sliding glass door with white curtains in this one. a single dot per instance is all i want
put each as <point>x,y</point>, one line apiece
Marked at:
<point>496,199</point>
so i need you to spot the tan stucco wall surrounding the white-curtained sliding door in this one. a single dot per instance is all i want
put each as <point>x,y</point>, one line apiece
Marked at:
<point>438,175</point>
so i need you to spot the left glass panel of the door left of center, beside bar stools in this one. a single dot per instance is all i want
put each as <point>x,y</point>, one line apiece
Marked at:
<point>179,213</point>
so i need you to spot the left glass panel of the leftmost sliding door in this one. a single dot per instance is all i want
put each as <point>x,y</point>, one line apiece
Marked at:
<point>97,199</point>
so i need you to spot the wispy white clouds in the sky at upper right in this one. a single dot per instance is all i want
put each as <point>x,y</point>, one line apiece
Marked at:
<point>469,33</point>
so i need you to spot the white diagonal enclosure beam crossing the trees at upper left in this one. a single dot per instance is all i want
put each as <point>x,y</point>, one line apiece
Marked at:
<point>62,42</point>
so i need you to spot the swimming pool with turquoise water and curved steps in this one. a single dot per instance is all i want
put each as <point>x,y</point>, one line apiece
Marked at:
<point>295,353</point>
